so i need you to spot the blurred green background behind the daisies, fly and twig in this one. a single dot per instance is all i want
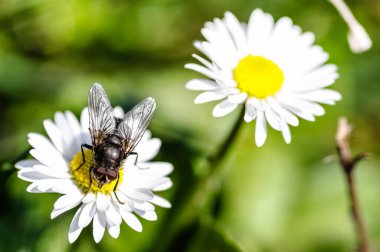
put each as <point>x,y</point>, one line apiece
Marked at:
<point>275,198</point>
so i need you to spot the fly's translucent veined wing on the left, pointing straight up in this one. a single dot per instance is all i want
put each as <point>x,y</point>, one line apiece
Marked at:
<point>102,121</point>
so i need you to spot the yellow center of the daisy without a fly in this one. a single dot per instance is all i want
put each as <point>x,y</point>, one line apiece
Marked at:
<point>258,77</point>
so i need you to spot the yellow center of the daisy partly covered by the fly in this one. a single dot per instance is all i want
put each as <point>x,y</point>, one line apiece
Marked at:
<point>81,176</point>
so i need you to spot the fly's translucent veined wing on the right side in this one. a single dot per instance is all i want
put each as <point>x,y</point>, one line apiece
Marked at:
<point>135,123</point>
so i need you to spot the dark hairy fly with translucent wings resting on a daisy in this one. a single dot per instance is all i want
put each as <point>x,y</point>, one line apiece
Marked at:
<point>113,139</point>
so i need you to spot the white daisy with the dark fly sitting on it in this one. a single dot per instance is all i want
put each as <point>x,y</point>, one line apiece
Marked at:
<point>54,170</point>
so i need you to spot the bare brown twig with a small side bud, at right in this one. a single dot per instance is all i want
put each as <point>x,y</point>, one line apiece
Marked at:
<point>348,164</point>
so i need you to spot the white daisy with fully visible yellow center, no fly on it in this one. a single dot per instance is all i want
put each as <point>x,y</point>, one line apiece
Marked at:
<point>272,68</point>
